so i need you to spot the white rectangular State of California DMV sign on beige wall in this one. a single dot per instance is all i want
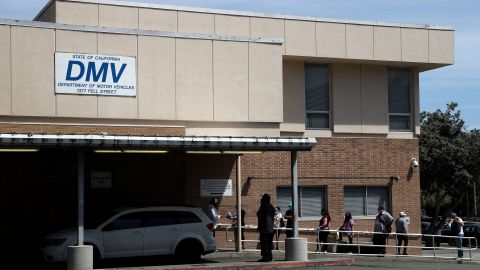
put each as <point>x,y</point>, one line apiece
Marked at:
<point>95,74</point>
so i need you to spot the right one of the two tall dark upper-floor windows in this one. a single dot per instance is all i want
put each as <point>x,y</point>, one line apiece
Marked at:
<point>399,102</point>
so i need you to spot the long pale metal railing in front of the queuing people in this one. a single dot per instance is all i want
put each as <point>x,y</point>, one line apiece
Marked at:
<point>362,242</point>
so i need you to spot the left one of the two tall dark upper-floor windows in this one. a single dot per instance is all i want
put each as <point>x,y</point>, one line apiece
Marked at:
<point>317,96</point>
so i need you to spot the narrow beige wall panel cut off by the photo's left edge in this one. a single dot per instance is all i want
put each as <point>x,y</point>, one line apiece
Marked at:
<point>5,72</point>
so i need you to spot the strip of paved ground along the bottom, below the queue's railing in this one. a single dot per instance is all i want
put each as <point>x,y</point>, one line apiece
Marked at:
<point>227,260</point>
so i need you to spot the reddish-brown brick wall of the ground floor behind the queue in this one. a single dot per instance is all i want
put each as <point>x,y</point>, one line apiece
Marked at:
<point>334,163</point>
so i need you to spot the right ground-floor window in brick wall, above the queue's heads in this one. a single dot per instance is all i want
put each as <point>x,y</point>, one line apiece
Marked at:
<point>365,200</point>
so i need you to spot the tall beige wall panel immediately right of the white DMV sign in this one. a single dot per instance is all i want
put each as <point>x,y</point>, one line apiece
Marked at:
<point>156,78</point>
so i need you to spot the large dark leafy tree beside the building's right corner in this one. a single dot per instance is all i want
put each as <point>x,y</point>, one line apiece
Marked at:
<point>445,160</point>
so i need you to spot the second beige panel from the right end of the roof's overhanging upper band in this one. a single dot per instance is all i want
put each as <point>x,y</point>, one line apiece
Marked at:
<point>414,45</point>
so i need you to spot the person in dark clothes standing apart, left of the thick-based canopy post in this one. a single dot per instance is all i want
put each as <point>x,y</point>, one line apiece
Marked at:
<point>265,216</point>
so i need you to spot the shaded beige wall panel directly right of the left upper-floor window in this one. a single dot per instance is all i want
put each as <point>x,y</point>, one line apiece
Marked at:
<point>346,88</point>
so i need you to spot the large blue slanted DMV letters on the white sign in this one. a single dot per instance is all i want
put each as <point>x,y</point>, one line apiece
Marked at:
<point>92,72</point>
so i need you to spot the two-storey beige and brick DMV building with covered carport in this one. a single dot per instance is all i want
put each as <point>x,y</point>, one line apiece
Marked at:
<point>163,100</point>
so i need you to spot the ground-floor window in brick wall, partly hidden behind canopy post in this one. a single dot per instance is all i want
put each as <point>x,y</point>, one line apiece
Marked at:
<point>311,200</point>
